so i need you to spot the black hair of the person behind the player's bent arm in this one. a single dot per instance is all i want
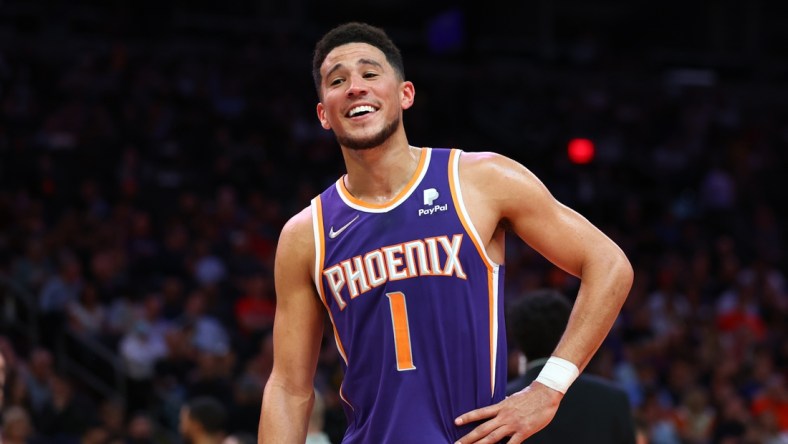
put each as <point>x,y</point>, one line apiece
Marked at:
<point>537,320</point>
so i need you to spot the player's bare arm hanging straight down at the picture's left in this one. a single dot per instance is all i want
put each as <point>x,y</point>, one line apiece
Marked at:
<point>298,328</point>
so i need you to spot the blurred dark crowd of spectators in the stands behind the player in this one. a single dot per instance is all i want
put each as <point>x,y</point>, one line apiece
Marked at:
<point>144,180</point>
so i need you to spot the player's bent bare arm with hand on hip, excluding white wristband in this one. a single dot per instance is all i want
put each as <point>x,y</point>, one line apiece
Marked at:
<point>506,192</point>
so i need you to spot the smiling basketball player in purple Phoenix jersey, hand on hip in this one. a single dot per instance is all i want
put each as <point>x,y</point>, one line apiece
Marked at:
<point>405,252</point>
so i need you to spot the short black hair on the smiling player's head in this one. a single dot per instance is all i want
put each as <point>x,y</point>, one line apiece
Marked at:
<point>355,32</point>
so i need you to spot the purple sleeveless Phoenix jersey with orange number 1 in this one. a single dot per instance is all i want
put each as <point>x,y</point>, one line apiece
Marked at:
<point>416,307</point>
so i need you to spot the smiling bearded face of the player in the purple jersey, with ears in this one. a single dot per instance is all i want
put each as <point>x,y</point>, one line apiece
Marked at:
<point>362,96</point>
